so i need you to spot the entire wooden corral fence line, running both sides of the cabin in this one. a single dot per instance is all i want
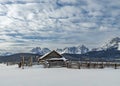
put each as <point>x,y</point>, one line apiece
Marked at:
<point>69,64</point>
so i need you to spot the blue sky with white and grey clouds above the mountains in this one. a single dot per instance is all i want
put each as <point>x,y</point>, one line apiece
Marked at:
<point>25,24</point>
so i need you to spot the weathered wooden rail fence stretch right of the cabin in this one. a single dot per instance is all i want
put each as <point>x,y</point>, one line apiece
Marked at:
<point>88,64</point>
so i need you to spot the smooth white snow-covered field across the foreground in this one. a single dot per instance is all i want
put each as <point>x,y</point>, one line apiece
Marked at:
<point>37,76</point>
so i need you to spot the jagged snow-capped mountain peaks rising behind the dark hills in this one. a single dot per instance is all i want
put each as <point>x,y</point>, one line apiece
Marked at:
<point>112,44</point>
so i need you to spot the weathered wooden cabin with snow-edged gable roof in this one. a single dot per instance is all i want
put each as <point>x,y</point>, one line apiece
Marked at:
<point>53,59</point>
